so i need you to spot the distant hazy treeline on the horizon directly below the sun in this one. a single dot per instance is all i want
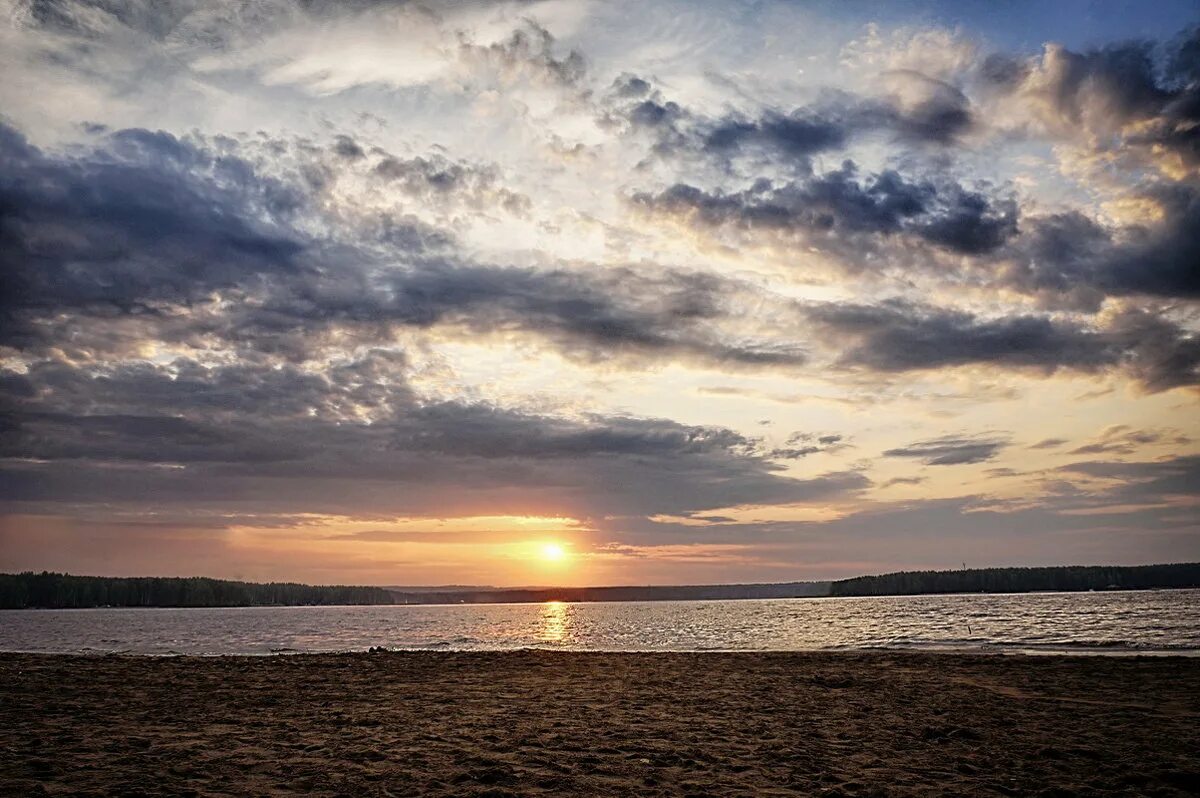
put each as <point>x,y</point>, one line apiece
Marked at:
<point>629,593</point>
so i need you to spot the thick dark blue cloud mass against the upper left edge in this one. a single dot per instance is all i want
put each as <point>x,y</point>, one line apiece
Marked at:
<point>151,219</point>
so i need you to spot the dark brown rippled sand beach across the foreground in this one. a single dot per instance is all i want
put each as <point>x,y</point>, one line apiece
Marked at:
<point>533,724</point>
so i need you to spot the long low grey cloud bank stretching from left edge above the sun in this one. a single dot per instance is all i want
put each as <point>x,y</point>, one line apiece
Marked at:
<point>355,439</point>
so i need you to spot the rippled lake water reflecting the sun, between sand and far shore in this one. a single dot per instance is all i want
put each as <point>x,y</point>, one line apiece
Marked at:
<point>1143,622</point>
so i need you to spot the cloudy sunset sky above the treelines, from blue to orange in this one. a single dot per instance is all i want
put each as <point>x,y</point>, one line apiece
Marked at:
<point>597,293</point>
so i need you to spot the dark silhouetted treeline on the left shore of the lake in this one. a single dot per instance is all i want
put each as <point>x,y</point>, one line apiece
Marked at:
<point>61,591</point>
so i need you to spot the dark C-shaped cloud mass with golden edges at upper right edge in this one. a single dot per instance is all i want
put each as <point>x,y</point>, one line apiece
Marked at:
<point>1132,100</point>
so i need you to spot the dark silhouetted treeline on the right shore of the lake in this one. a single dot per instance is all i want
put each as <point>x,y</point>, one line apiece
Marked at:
<point>1024,580</point>
